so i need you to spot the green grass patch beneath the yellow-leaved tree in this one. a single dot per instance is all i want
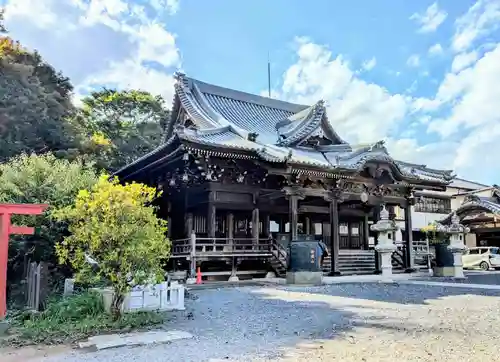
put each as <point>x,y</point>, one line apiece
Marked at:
<point>74,318</point>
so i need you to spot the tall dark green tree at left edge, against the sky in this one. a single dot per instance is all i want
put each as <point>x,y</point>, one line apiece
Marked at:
<point>35,102</point>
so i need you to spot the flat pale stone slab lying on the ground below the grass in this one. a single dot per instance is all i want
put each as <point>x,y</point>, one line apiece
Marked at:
<point>133,339</point>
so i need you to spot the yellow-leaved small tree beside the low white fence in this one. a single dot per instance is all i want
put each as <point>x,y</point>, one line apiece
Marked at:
<point>115,225</point>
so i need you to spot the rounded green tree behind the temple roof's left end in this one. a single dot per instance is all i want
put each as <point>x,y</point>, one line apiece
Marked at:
<point>126,124</point>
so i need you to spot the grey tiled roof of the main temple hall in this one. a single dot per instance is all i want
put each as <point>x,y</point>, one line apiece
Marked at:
<point>225,118</point>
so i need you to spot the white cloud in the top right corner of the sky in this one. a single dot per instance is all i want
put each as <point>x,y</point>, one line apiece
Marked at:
<point>479,21</point>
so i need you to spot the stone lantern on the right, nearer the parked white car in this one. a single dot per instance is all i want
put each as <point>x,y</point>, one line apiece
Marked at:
<point>457,246</point>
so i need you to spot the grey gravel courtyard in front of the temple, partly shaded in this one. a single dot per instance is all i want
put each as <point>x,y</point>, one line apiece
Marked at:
<point>347,322</point>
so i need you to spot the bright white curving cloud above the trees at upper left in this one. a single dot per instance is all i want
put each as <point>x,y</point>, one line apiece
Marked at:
<point>149,40</point>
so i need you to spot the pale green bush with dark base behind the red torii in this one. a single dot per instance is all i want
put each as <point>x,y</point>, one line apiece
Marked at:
<point>47,180</point>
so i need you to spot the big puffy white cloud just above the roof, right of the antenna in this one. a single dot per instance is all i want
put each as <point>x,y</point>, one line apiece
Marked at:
<point>361,111</point>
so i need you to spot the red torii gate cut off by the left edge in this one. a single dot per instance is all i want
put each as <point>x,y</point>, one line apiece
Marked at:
<point>6,229</point>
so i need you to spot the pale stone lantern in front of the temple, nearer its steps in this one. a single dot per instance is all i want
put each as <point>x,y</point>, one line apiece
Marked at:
<point>385,247</point>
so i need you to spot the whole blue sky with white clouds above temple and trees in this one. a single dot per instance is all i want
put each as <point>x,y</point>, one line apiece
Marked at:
<point>422,75</point>
